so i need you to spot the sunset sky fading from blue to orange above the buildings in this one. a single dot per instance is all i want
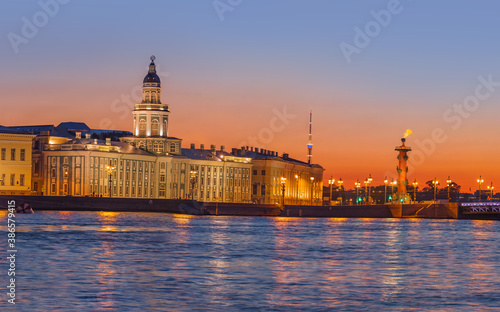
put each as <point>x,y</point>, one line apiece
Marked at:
<point>231,70</point>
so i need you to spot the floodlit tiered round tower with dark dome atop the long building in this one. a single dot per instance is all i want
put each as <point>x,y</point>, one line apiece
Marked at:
<point>151,119</point>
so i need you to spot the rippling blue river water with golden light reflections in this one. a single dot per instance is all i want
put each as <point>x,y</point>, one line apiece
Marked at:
<point>103,261</point>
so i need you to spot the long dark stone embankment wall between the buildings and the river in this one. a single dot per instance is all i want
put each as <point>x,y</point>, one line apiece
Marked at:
<point>68,203</point>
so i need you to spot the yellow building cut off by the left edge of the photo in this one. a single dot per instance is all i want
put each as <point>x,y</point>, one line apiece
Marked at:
<point>15,162</point>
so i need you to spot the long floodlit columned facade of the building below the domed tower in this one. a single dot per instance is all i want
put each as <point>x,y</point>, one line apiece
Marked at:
<point>89,167</point>
